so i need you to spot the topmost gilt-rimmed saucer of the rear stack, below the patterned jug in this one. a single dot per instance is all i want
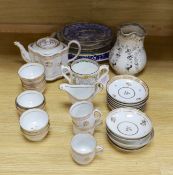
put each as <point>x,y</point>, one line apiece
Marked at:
<point>127,89</point>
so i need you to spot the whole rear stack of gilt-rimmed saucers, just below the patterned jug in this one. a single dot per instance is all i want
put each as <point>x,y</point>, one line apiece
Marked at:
<point>127,91</point>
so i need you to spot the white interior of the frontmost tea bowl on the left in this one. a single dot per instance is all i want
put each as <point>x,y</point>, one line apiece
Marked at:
<point>33,120</point>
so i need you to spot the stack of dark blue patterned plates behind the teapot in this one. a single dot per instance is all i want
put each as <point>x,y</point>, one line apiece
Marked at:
<point>95,39</point>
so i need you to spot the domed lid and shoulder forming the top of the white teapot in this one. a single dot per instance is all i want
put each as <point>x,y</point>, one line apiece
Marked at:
<point>48,46</point>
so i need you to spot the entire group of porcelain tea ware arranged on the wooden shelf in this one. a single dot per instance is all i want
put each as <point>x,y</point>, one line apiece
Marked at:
<point>127,127</point>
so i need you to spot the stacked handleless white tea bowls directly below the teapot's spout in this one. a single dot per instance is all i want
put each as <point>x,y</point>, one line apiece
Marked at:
<point>32,76</point>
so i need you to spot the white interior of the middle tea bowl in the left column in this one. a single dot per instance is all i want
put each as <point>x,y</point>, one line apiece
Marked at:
<point>30,99</point>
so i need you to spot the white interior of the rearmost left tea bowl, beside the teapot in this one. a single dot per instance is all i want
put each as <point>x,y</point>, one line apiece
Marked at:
<point>31,71</point>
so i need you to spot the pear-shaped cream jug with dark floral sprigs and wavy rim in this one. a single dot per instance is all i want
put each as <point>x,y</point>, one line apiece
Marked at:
<point>128,55</point>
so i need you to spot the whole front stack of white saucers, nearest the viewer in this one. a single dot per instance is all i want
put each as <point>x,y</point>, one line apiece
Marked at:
<point>129,129</point>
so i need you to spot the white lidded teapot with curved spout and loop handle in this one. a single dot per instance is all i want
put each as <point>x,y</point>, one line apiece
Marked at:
<point>49,52</point>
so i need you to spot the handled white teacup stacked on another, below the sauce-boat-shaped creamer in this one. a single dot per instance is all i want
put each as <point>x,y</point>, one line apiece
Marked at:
<point>84,115</point>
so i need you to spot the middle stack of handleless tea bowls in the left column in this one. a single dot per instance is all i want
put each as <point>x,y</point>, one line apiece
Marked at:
<point>29,99</point>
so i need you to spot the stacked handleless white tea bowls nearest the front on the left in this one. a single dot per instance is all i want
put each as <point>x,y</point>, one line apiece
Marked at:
<point>34,124</point>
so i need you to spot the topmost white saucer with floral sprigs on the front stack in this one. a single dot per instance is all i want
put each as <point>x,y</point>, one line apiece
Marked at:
<point>129,123</point>
